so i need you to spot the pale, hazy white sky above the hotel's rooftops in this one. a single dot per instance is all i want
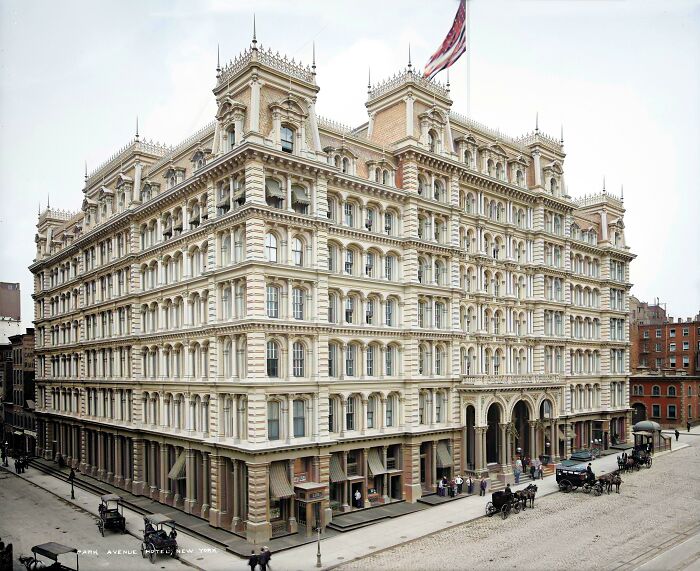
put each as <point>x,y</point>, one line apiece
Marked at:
<point>621,77</point>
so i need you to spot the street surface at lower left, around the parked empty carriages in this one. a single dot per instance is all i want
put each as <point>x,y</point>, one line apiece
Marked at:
<point>30,515</point>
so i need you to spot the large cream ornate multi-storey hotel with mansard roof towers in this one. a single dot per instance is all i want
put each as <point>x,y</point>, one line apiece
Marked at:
<point>281,311</point>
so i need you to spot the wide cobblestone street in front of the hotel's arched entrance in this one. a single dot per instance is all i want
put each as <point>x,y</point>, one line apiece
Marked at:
<point>656,507</point>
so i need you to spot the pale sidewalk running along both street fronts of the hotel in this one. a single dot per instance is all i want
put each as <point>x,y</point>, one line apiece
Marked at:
<point>341,547</point>
